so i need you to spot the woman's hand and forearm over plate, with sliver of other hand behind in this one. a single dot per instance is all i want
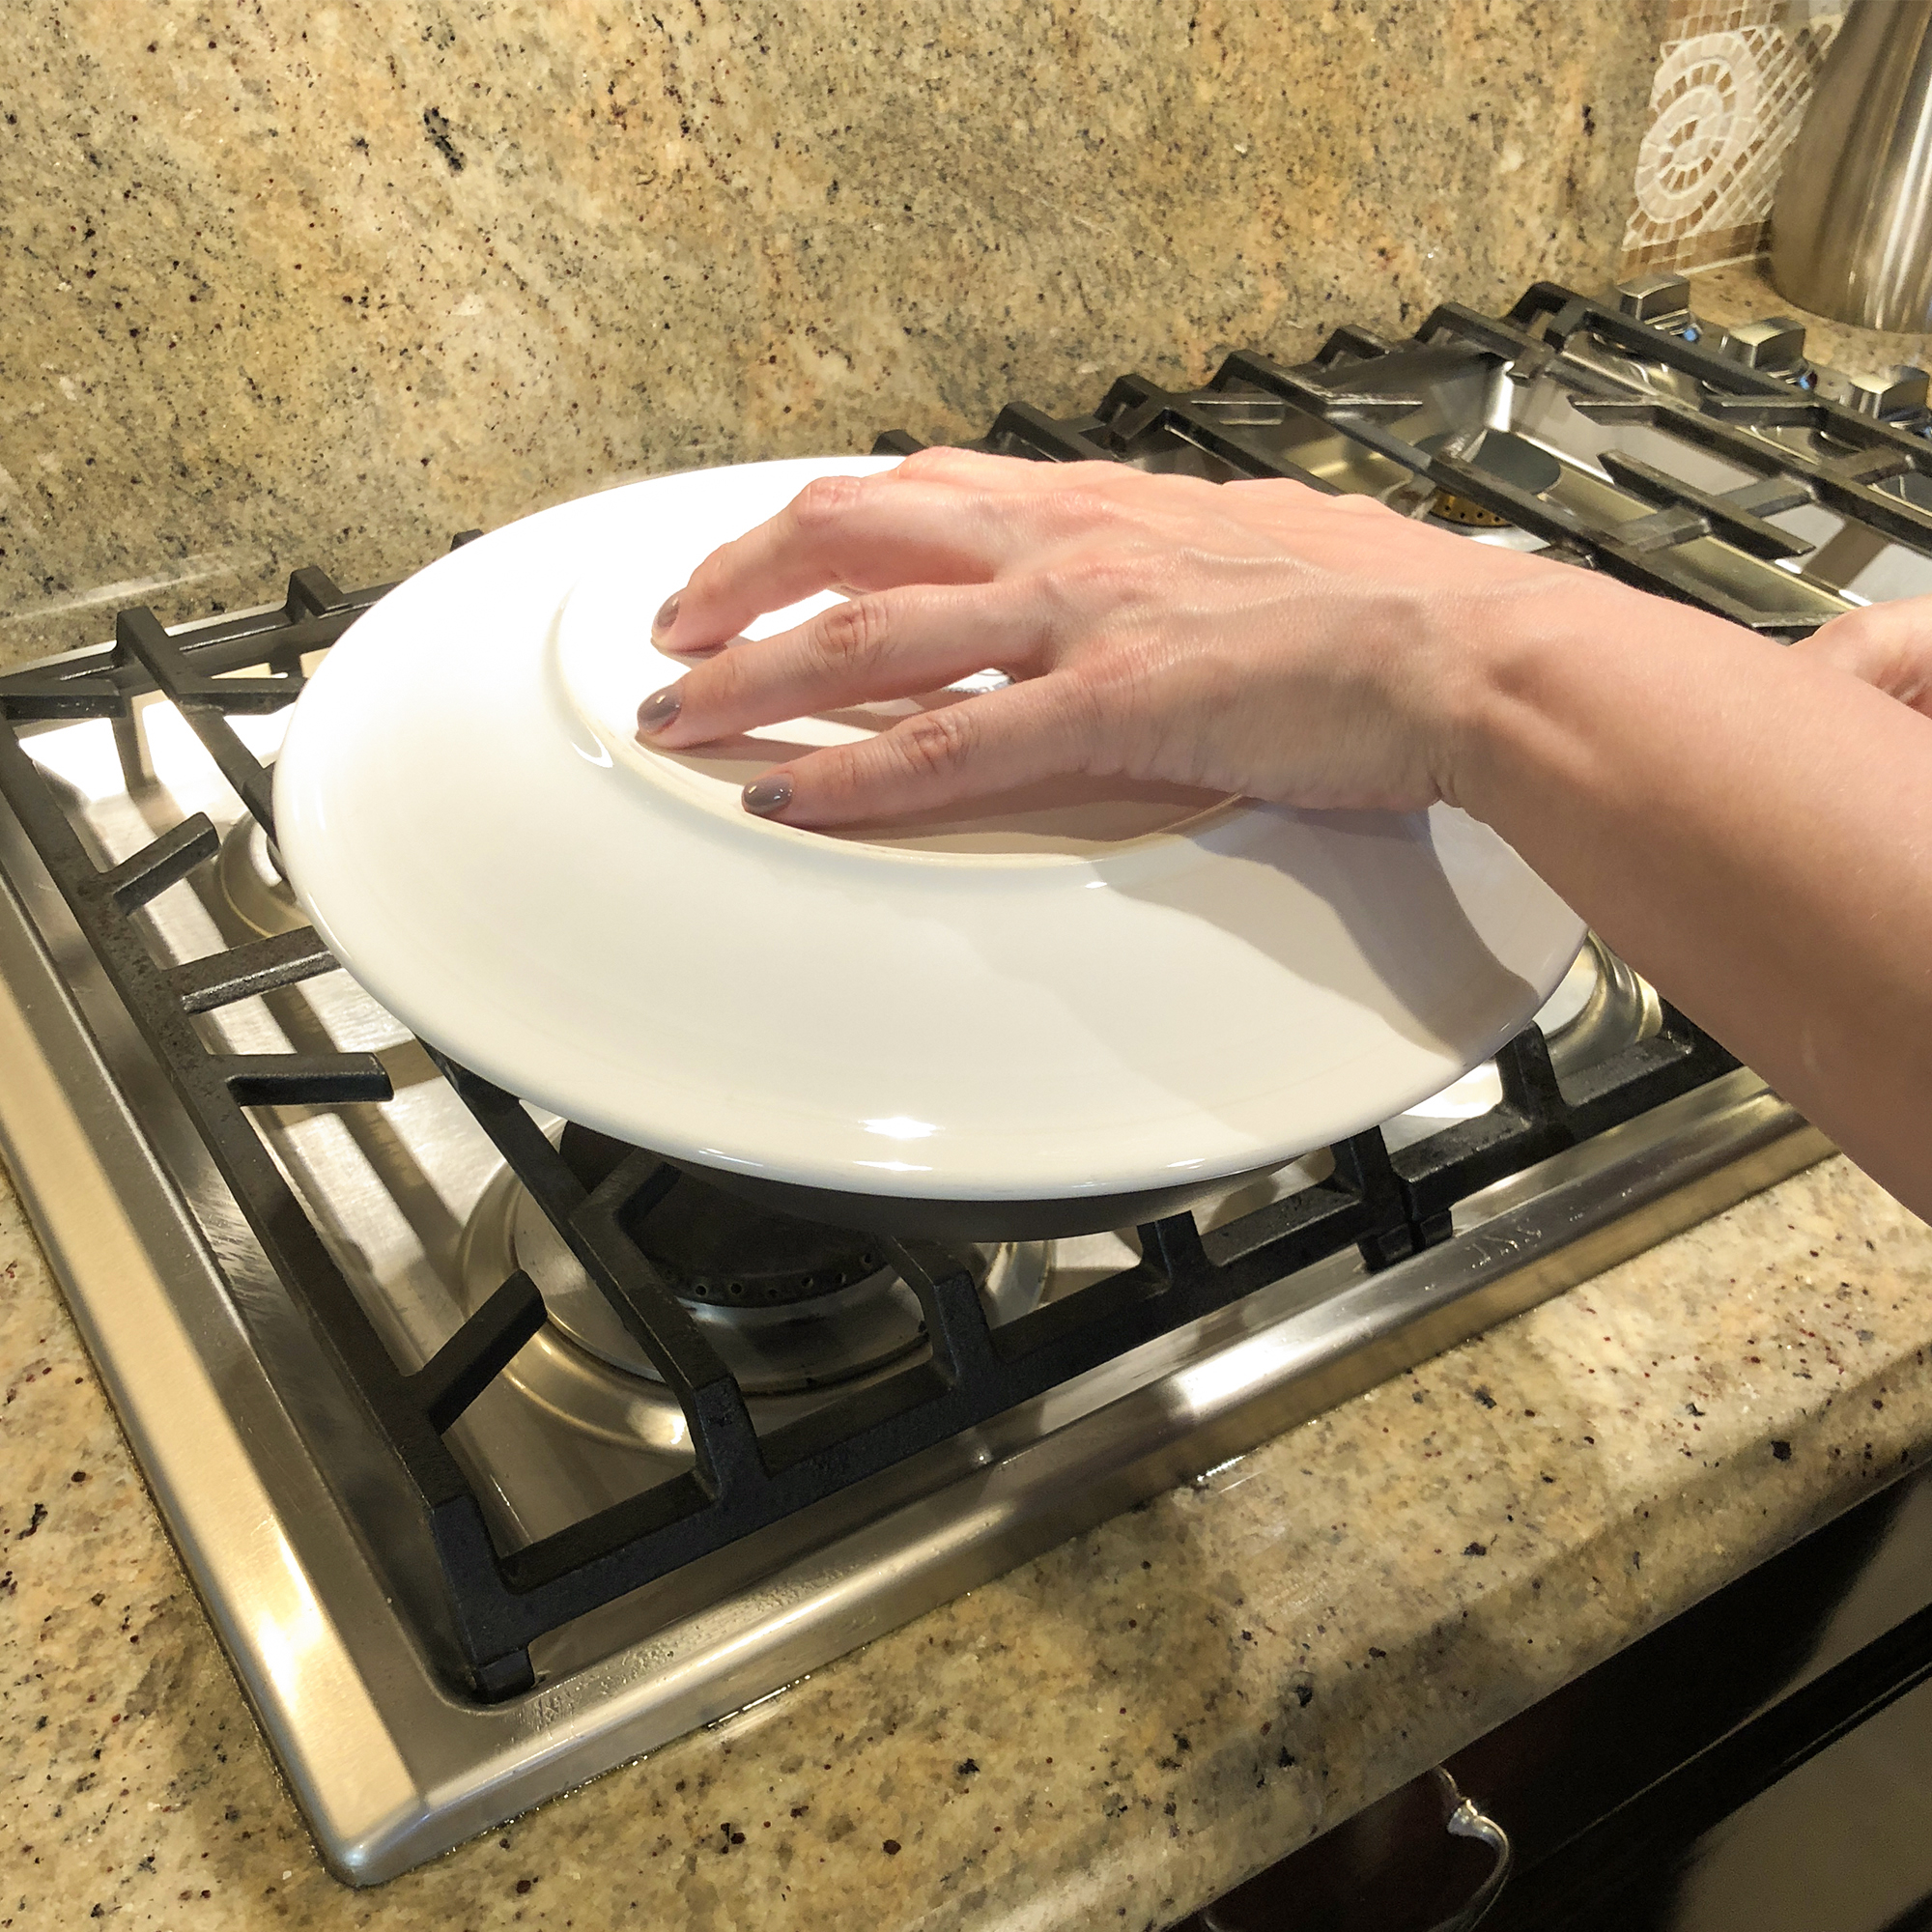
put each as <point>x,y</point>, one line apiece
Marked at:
<point>1749,826</point>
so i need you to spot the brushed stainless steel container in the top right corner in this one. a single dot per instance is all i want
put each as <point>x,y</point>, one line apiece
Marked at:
<point>1852,231</point>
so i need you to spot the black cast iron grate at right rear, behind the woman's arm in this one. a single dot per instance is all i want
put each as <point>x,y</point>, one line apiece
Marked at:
<point>1867,469</point>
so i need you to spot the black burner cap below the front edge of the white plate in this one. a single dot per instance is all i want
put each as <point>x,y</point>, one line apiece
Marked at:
<point>714,1247</point>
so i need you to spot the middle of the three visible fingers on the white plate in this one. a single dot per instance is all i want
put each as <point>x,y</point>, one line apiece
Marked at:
<point>892,644</point>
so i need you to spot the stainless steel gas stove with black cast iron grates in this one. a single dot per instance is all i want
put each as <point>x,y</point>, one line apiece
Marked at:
<point>501,1452</point>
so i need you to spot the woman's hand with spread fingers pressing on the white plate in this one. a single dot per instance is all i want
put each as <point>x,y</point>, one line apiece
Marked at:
<point>1247,639</point>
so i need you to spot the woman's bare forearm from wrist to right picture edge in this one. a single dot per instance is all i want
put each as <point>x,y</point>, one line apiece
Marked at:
<point>1749,828</point>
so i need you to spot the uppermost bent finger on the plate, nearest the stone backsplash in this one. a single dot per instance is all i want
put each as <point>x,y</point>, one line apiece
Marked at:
<point>928,526</point>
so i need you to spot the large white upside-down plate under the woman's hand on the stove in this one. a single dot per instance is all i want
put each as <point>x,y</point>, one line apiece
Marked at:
<point>1046,1004</point>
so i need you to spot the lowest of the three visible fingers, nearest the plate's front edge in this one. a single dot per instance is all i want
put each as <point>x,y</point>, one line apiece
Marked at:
<point>973,749</point>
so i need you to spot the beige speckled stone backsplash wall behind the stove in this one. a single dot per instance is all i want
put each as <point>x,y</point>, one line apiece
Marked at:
<point>331,283</point>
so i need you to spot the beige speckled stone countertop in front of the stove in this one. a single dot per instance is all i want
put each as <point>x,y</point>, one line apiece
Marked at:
<point>1112,1734</point>
